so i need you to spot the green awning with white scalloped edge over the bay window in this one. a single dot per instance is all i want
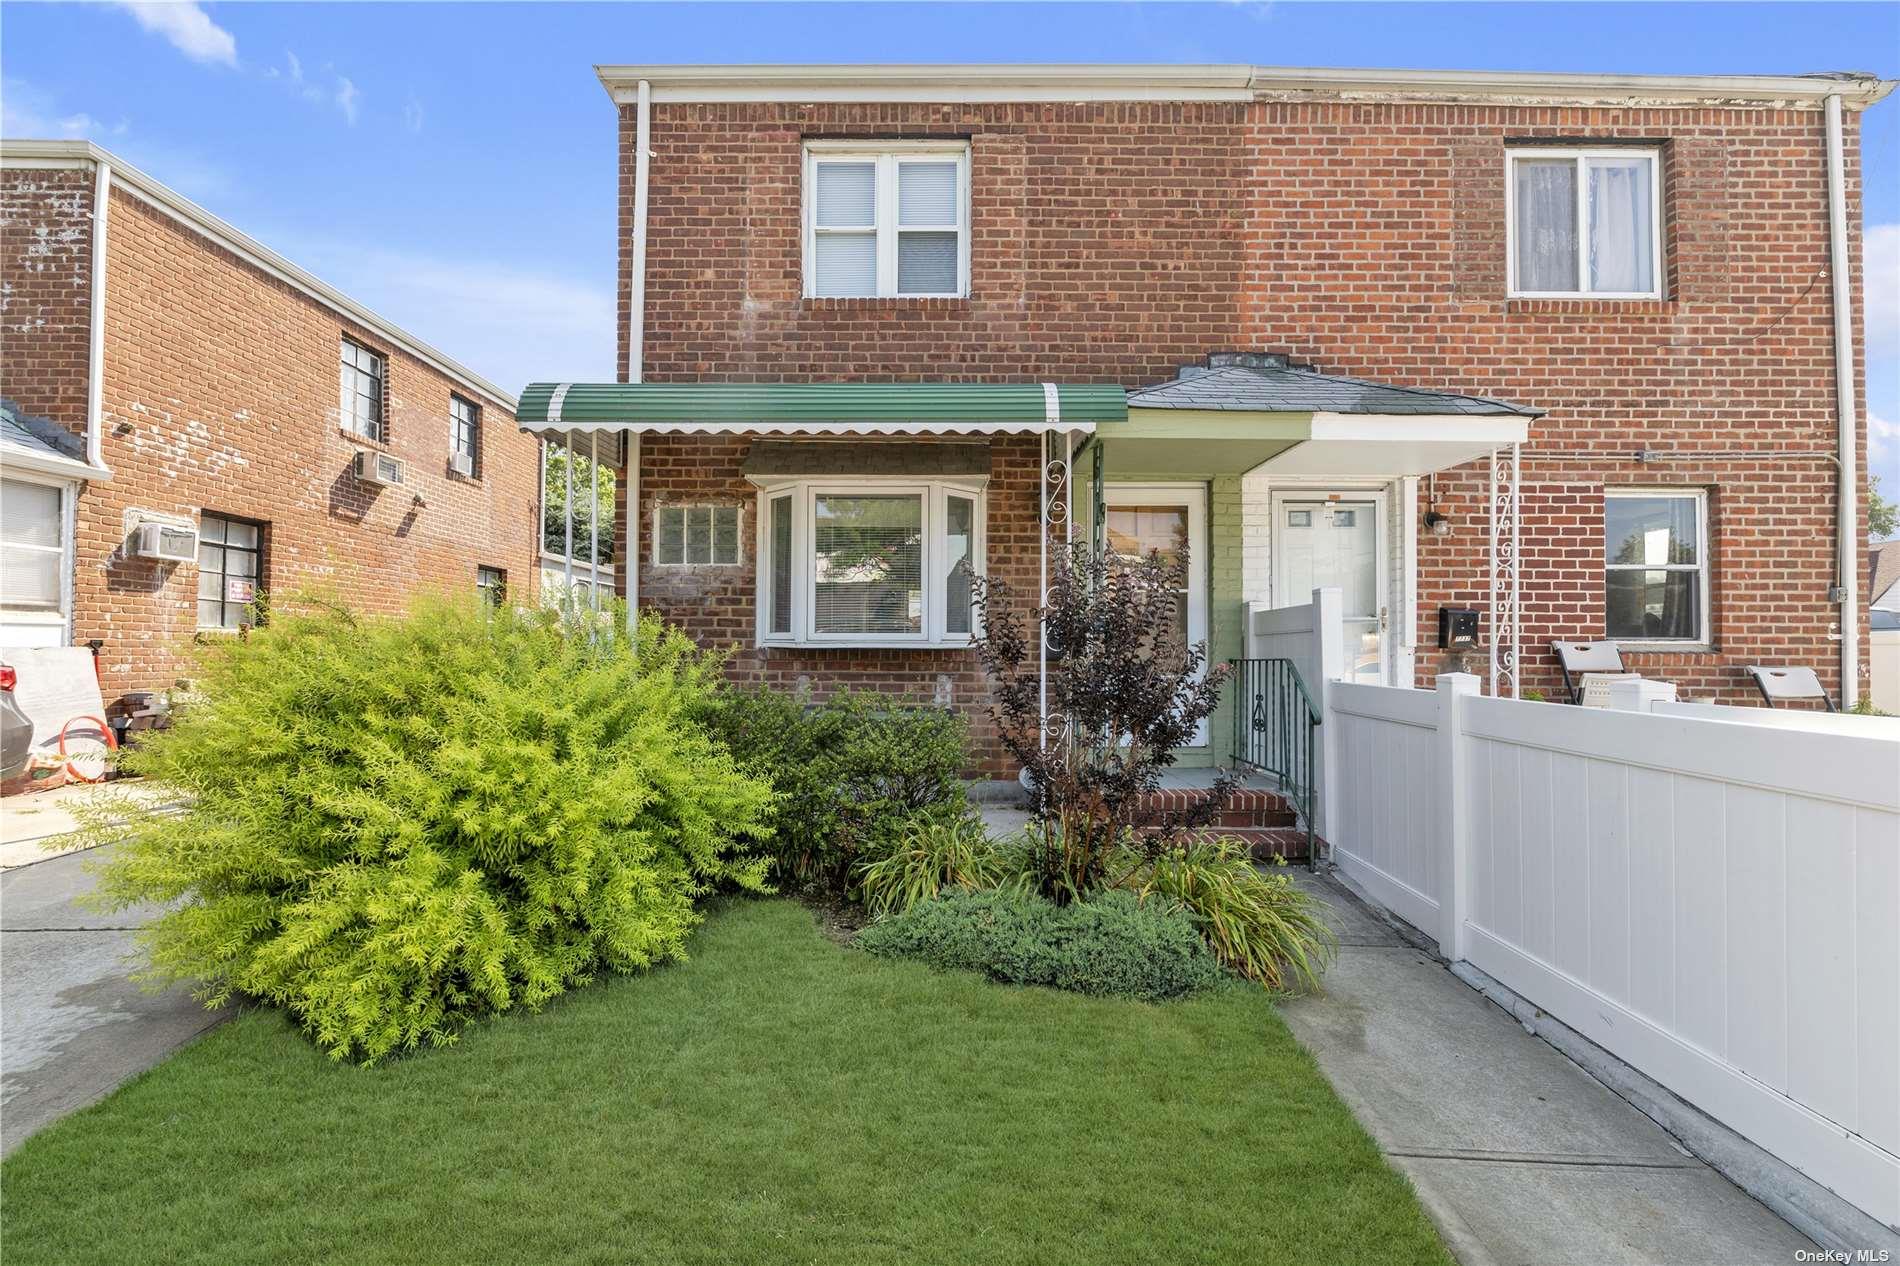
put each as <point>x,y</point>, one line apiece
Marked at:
<point>839,408</point>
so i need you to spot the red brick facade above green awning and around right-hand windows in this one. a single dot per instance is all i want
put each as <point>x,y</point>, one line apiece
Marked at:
<point>1114,242</point>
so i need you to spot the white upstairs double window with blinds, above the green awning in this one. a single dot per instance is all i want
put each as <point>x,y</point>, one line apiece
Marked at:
<point>886,221</point>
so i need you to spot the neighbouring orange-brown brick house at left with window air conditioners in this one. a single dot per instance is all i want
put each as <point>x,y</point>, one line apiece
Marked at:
<point>176,389</point>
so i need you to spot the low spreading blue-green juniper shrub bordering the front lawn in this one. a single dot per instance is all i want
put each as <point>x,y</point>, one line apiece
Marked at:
<point>1109,944</point>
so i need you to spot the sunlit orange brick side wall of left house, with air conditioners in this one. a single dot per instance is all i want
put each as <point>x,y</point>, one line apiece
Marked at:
<point>221,394</point>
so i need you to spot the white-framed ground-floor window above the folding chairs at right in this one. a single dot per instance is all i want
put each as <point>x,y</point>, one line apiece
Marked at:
<point>1656,567</point>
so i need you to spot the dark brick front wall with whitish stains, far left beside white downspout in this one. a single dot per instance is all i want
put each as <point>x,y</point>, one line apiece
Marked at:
<point>47,265</point>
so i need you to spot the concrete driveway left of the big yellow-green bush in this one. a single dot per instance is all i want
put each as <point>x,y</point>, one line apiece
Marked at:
<point>73,1026</point>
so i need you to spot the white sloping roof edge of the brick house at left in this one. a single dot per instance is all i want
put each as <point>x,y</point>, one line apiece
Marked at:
<point>28,153</point>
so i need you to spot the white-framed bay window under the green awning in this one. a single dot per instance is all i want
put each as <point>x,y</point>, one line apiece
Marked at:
<point>869,564</point>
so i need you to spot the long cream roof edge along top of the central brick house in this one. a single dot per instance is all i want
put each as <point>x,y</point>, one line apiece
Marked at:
<point>1209,83</point>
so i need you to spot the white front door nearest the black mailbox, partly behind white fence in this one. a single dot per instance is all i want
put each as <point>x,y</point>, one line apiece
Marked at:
<point>1337,543</point>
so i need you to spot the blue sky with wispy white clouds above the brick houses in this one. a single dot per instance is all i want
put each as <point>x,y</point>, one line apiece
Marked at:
<point>453,164</point>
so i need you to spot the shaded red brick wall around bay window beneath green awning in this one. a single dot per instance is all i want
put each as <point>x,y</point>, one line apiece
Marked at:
<point>717,605</point>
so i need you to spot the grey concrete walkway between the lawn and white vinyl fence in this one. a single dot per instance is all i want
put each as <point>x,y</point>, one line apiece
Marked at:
<point>1515,1151</point>
